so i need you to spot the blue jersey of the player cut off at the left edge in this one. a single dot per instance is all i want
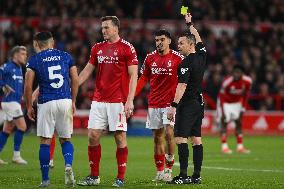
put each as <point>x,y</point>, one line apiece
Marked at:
<point>11,74</point>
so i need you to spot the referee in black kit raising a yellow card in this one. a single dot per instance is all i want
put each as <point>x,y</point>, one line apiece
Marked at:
<point>187,106</point>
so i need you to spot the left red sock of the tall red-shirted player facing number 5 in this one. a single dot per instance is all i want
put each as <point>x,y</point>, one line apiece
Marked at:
<point>94,153</point>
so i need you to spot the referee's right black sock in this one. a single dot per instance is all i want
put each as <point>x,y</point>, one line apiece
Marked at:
<point>197,159</point>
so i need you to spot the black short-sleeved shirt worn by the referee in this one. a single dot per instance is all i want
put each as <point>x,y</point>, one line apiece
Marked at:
<point>191,72</point>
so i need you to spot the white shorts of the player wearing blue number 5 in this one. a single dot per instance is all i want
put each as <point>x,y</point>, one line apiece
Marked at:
<point>55,114</point>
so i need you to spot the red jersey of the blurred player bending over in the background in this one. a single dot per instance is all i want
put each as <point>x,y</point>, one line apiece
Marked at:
<point>235,91</point>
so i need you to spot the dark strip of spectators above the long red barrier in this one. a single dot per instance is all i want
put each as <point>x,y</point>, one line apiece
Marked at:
<point>234,10</point>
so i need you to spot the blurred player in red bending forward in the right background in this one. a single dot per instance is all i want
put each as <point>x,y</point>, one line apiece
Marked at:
<point>231,104</point>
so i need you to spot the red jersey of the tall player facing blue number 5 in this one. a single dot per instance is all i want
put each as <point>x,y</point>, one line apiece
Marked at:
<point>111,62</point>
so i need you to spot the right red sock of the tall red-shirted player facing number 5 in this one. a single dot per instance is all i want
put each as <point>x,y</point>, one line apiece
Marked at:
<point>121,157</point>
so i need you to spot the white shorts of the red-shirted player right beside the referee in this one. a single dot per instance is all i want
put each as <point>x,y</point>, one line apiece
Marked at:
<point>157,118</point>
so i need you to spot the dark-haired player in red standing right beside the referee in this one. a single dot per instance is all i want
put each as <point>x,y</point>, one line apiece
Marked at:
<point>160,67</point>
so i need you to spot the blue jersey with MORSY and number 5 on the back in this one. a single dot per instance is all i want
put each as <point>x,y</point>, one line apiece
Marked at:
<point>52,71</point>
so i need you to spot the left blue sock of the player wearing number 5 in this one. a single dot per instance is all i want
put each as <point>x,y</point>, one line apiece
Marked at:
<point>44,158</point>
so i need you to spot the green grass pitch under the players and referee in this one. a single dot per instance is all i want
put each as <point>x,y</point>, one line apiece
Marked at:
<point>263,168</point>
